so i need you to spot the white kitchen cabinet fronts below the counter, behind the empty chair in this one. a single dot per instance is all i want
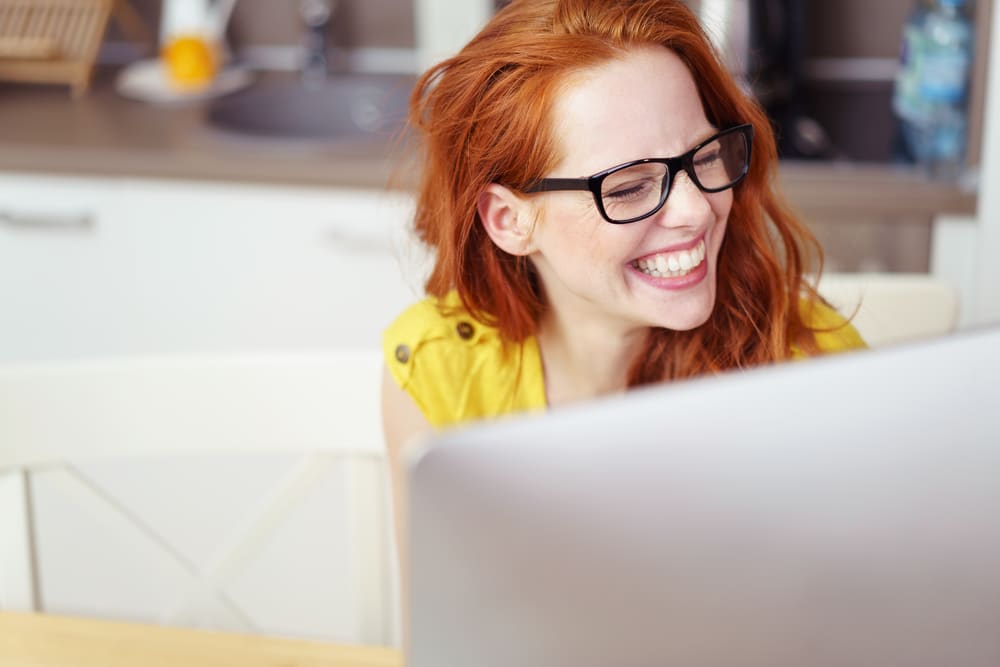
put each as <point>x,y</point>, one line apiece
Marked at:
<point>94,267</point>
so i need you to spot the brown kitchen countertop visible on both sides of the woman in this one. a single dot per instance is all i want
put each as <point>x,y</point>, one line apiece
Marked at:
<point>104,134</point>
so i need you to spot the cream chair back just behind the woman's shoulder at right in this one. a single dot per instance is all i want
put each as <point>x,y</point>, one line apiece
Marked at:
<point>893,307</point>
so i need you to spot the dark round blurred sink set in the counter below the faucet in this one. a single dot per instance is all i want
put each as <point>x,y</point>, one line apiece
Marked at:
<point>344,107</point>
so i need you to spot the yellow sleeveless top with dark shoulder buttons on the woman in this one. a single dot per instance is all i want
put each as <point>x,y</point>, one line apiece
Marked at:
<point>457,369</point>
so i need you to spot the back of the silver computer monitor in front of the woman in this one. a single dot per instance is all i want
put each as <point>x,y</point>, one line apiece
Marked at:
<point>841,511</point>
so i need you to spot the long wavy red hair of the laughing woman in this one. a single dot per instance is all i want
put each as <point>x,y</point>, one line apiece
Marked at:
<point>485,116</point>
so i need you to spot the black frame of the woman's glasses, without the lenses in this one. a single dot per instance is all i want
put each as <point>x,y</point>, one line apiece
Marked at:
<point>674,165</point>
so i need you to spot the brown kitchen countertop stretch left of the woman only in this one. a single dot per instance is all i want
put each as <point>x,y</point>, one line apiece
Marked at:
<point>43,130</point>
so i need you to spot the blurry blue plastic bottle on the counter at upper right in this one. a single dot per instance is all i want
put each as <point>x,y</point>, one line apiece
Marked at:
<point>931,95</point>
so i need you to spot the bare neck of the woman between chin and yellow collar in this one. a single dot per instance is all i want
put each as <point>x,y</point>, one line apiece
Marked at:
<point>583,361</point>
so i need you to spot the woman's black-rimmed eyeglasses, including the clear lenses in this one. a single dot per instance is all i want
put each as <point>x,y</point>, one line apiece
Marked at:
<point>636,190</point>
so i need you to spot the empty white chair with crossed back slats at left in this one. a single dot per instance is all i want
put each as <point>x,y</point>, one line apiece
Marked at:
<point>320,410</point>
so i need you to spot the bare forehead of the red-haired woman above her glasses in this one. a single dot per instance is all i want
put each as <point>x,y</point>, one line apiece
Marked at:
<point>643,104</point>
